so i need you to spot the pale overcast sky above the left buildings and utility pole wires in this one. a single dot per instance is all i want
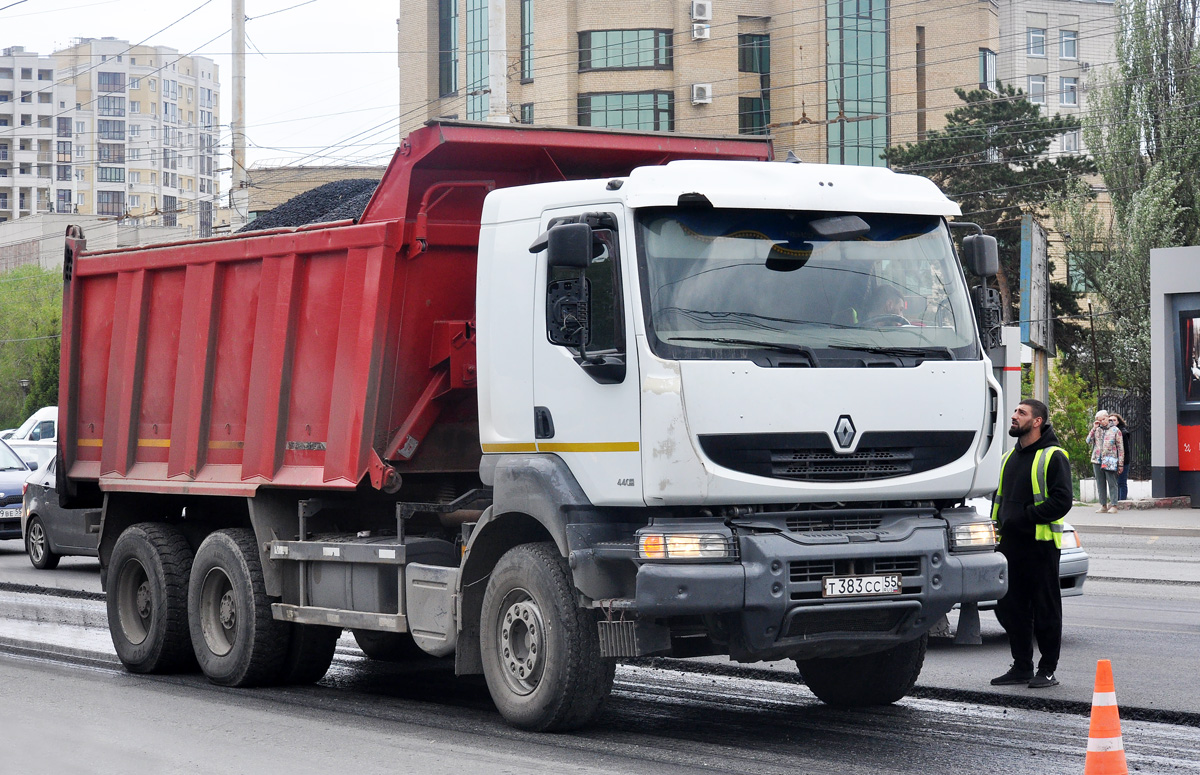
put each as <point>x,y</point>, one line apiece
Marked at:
<point>322,82</point>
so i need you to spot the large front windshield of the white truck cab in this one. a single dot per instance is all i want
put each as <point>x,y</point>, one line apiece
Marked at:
<point>722,281</point>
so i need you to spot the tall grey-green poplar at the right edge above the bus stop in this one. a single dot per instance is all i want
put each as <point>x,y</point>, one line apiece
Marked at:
<point>1144,131</point>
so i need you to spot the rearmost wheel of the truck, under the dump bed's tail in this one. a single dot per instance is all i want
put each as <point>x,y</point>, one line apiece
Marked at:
<point>148,599</point>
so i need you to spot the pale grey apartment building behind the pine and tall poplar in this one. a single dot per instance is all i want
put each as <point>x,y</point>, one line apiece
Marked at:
<point>1052,49</point>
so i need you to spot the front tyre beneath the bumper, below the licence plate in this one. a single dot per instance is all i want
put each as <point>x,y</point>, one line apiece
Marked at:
<point>872,680</point>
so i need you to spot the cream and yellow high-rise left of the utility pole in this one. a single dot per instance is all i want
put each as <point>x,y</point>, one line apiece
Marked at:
<point>146,133</point>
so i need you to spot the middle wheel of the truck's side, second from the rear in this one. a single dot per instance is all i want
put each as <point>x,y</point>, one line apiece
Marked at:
<point>237,641</point>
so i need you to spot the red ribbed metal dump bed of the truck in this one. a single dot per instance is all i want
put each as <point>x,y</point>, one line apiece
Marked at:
<point>317,357</point>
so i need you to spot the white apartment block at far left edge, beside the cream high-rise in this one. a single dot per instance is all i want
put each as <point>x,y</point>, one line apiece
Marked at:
<point>35,136</point>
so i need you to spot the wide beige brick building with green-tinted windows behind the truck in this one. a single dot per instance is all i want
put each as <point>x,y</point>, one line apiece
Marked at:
<point>835,81</point>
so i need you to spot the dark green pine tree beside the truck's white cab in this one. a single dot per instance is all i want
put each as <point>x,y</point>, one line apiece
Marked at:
<point>992,159</point>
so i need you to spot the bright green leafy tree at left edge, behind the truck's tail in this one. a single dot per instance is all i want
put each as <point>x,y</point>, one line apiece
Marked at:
<point>31,326</point>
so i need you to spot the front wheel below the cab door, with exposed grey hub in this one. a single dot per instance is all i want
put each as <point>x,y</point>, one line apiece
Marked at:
<point>542,653</point>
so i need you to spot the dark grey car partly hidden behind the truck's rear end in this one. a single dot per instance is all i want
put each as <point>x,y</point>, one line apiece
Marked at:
<point>51,531</point>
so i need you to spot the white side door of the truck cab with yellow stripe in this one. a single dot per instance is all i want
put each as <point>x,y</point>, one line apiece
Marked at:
<point>587,405</point>
